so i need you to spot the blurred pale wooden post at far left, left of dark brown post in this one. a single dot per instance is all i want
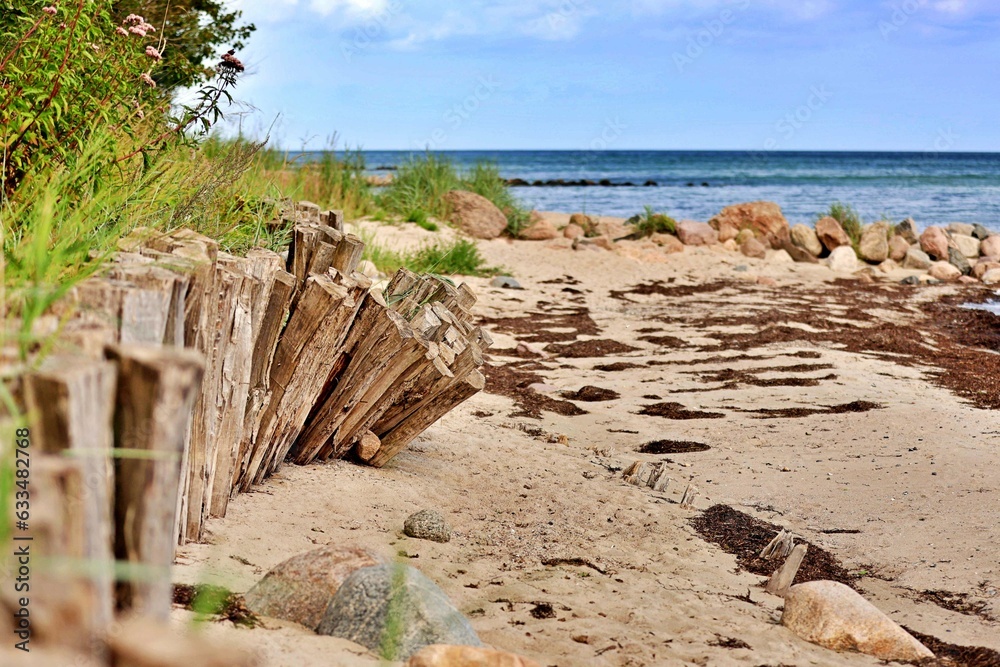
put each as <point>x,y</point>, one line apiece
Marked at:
<point>71,404</point>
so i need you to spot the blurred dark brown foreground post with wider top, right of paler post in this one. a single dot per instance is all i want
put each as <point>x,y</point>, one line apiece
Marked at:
<point>155,397</point>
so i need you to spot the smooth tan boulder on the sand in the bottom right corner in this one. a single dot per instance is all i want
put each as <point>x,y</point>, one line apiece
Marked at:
<point>832,615</point>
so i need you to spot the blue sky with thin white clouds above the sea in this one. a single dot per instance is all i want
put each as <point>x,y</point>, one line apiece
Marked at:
<point>916,75</point>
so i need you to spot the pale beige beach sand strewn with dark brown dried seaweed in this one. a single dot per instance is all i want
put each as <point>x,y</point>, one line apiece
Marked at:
<point>917,479</point>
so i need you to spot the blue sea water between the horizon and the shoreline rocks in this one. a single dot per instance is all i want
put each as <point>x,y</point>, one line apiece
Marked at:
<point>933,188</point>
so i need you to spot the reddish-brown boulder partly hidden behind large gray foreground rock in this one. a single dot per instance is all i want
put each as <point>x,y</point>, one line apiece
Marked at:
<point>300,588</point>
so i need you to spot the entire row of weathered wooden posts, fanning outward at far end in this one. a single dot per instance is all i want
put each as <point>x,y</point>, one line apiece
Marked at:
<point>197,374</point>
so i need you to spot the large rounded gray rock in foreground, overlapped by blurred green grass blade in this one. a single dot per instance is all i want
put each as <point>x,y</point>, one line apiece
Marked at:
<point>395,611</point>
